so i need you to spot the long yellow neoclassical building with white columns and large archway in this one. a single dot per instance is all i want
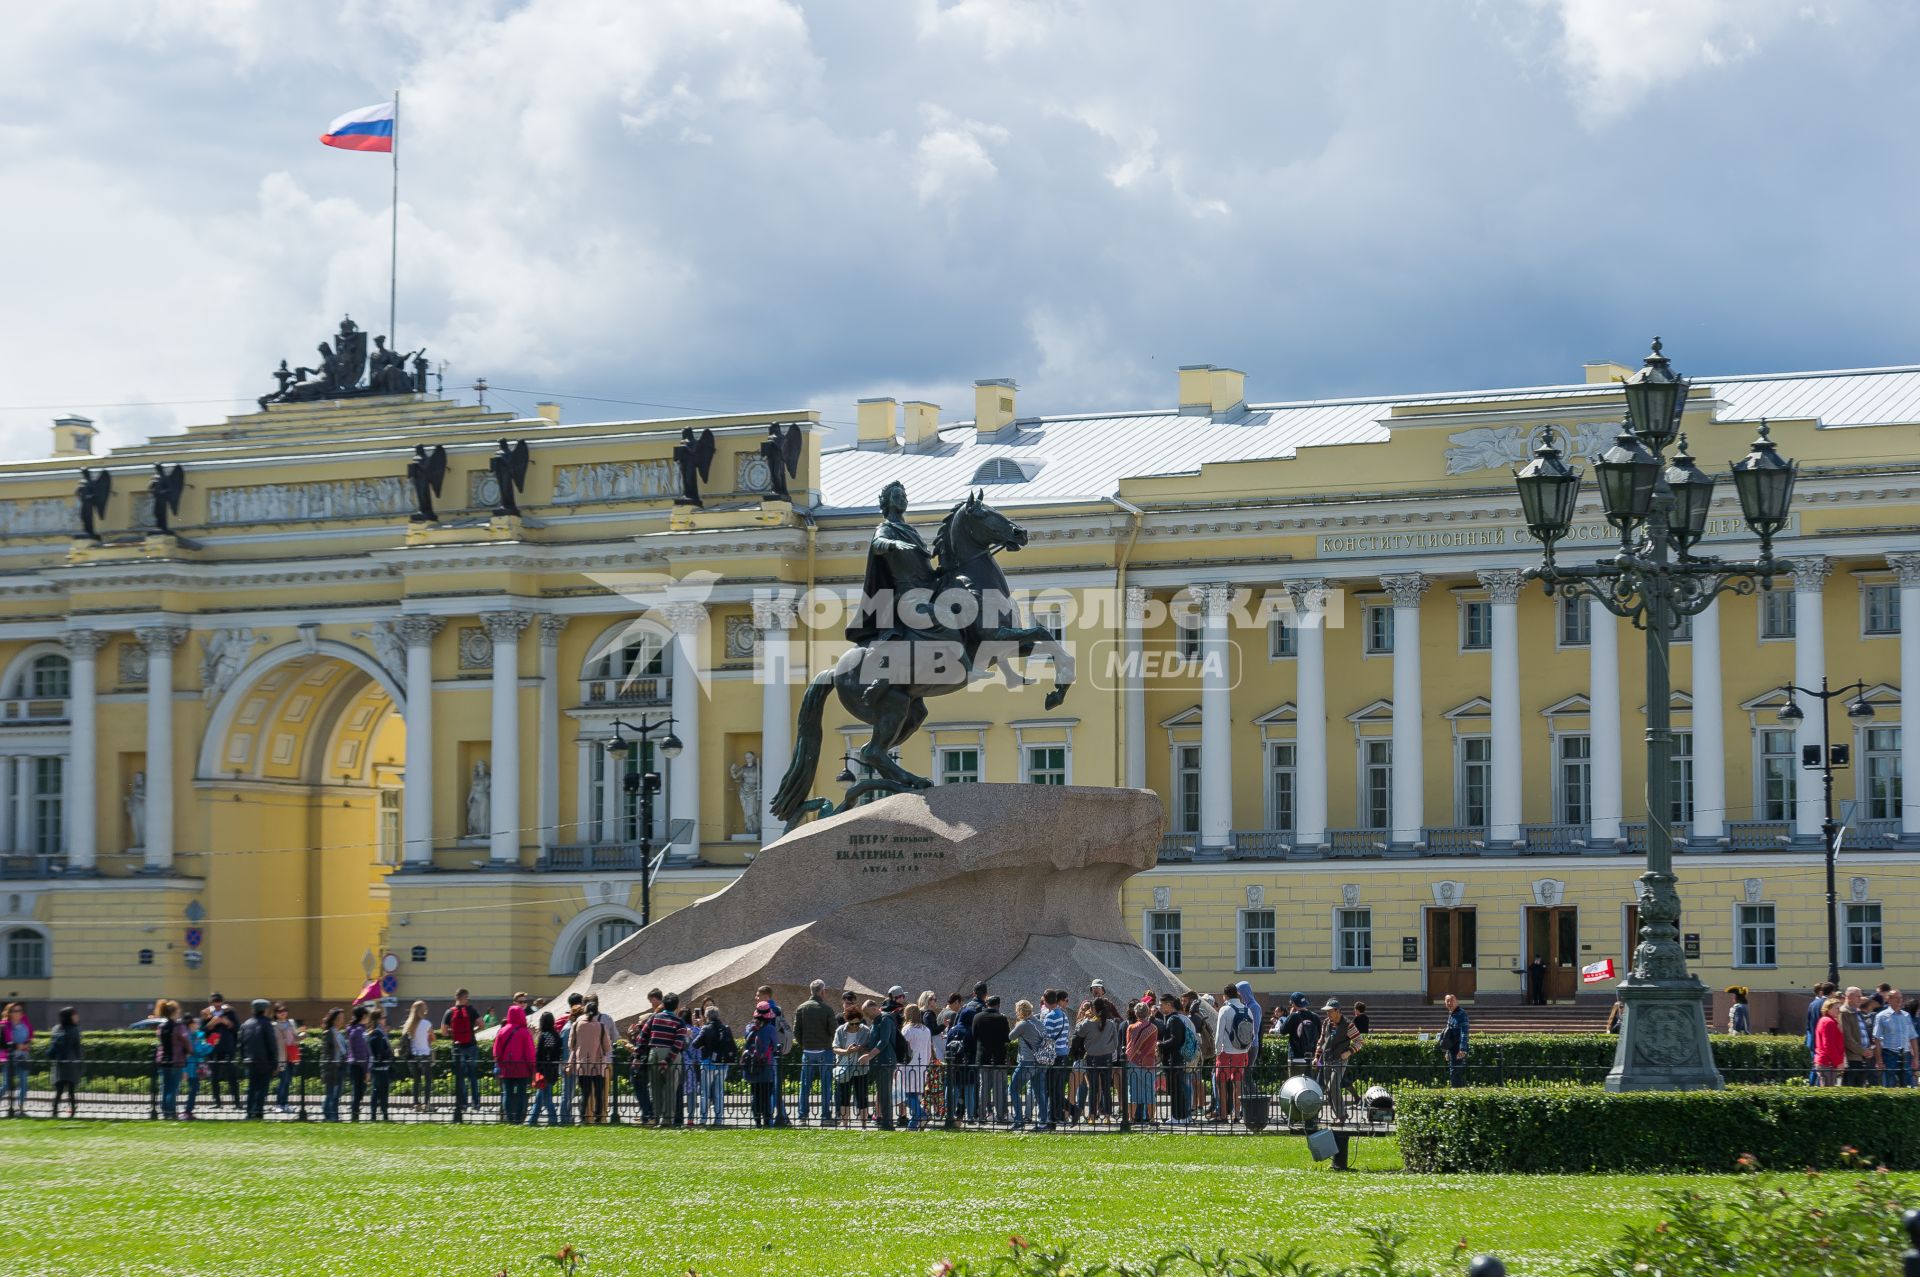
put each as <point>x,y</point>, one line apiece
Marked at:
<point>302,735</point>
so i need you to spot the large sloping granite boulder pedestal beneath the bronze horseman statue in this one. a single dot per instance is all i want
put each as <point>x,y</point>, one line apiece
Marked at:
<point>938,890</point>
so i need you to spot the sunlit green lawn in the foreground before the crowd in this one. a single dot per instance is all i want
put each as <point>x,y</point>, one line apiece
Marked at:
<point>120,1197</point>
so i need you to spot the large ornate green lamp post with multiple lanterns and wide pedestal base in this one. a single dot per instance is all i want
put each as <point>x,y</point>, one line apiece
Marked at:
<point>1654,581</point>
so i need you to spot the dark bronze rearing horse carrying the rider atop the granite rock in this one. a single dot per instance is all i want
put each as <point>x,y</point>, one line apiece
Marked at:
<point>936,642</point>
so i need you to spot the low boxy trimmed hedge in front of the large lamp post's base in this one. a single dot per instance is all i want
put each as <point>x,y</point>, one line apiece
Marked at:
<point>1585,1130</point>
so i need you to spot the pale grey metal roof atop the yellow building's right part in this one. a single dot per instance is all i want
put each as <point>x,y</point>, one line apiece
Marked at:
<point>1086,458</point>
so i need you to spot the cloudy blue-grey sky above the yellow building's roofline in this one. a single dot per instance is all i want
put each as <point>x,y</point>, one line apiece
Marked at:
<point>750,205</point>
